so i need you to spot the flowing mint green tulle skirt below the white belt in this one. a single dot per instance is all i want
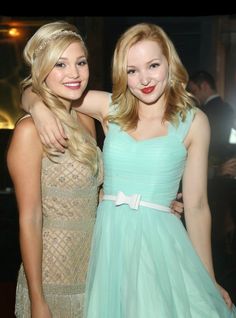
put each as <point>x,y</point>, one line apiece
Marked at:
<point>143,265</point>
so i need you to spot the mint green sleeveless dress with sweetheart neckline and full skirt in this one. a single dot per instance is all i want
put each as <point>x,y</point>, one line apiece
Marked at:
<point>143,264</point>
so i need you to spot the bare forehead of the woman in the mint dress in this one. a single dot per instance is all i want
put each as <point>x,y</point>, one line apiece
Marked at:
<point>145,49</point>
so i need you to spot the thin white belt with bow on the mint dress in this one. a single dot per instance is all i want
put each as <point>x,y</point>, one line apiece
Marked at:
<point>134,201</point>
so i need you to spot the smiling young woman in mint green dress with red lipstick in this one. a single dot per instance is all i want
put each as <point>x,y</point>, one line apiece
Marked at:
<point>144,264</point>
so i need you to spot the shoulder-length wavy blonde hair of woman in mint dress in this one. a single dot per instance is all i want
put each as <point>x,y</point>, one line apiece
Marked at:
<point>178,100</point>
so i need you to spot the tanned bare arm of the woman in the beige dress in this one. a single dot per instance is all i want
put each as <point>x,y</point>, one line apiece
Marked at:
<point>24,164</point>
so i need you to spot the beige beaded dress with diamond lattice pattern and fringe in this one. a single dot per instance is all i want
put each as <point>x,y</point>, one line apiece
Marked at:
<point>69,199</point>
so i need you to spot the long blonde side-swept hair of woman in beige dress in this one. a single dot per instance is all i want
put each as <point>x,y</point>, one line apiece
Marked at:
<point>41,53</point>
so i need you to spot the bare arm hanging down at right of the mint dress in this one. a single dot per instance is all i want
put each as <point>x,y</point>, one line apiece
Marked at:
<point>197,212</point>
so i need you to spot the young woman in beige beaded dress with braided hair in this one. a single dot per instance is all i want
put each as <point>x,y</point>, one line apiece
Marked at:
<point>56,193</point>
